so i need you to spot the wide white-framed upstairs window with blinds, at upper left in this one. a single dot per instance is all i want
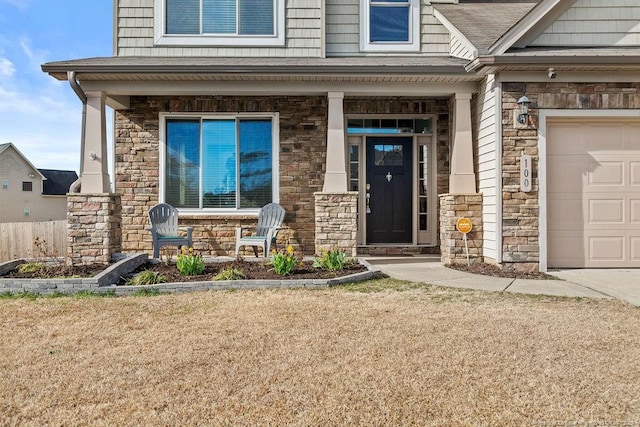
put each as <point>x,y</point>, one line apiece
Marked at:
<point>220,22</point>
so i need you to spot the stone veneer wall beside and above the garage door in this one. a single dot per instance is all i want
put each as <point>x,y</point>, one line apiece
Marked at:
<point>521,211</point>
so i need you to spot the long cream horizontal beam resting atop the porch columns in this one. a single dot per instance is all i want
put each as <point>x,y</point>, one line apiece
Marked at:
<point>277,88</point>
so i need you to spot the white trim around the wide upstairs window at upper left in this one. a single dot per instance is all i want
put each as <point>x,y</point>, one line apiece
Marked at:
<point>162,39</point>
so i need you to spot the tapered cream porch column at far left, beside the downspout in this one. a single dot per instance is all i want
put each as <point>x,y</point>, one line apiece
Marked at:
<point>95,176</point>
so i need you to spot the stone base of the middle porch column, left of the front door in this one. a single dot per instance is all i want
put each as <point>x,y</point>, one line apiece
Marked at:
<point>336,221</point>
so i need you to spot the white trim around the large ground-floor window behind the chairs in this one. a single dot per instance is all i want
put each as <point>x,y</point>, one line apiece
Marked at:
<point>275,160</point>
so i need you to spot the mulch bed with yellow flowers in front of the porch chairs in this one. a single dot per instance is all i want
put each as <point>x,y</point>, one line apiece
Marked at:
<point>252,270</point>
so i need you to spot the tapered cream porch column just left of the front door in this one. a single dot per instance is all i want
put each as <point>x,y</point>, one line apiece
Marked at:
<point>335,177</point>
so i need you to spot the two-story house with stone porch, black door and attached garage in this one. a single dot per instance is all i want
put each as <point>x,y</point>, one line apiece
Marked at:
<point>375,123</point>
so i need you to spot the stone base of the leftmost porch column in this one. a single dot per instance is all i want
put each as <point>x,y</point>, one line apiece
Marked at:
<point>94,231</point>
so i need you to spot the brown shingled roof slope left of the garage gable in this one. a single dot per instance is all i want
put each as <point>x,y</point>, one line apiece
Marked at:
<point>484,22</point>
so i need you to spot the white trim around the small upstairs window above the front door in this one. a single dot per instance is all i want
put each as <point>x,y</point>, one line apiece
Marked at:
<point>413,45</point>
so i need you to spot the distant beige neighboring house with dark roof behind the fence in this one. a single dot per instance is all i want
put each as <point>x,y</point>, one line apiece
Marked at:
<point>28,194</point>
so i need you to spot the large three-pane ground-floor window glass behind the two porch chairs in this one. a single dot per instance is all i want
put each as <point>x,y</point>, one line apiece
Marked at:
<point>219,163</point>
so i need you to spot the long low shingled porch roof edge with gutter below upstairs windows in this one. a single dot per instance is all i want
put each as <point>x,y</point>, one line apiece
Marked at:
<point>191,66</point>
